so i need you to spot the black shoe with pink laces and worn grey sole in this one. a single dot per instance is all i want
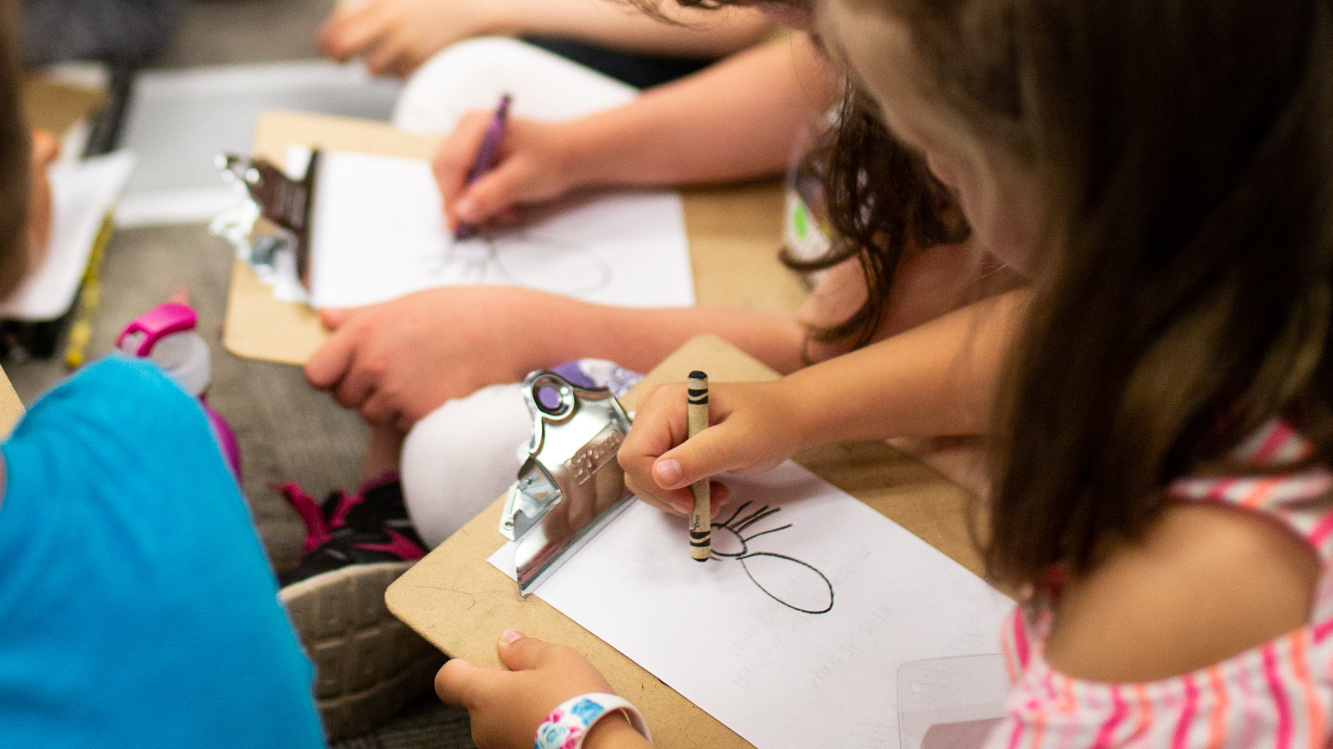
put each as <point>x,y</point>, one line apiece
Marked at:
<point>369,663</point>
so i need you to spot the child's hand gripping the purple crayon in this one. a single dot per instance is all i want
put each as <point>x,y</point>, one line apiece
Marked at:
<point>533,166</point>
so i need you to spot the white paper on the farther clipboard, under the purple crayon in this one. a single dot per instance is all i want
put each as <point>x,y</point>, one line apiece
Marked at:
<point>379,234</point>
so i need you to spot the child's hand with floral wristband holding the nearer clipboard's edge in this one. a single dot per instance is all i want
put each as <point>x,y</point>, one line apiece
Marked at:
<point>509,707</point>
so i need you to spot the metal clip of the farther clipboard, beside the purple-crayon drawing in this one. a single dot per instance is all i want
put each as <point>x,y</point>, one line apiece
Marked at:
<point>286,203</point>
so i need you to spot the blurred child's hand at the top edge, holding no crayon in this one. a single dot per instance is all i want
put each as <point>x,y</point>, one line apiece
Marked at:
<point>397,37</point>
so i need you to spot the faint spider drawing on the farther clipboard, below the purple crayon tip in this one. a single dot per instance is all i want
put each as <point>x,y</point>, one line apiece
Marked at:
<point>525,259</point>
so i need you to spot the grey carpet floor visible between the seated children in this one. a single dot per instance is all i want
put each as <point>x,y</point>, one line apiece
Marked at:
<point>287,431</point>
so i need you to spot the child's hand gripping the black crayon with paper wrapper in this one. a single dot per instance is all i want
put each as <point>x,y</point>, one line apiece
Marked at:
<point>752,430</point>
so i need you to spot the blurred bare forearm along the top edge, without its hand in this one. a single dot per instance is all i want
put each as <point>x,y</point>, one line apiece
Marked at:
<point>700,33</point>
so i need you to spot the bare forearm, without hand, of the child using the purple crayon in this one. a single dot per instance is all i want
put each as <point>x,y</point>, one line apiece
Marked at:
<point>732,122</point>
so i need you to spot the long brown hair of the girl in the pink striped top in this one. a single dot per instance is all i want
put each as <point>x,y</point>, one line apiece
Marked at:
<point>1183,298</point>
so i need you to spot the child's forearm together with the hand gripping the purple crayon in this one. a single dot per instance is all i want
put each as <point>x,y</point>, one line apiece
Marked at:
<point>736,121</point>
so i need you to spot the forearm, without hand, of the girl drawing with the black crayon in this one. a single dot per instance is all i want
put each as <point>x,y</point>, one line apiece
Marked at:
<point>938,379</point>
